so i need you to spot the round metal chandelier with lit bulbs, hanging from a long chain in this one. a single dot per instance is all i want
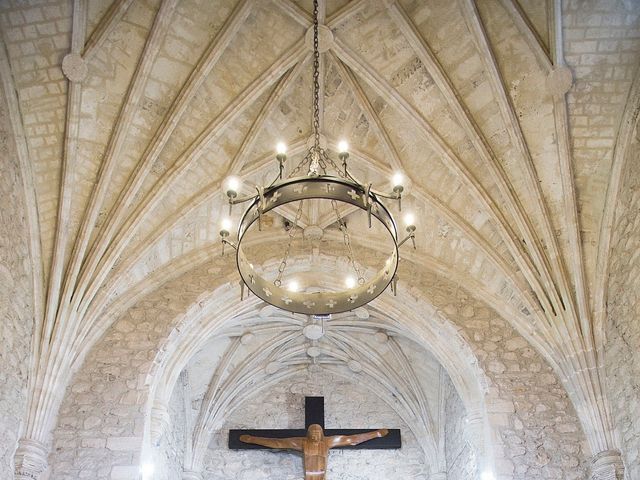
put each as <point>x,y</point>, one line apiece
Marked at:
<point>341,187</point>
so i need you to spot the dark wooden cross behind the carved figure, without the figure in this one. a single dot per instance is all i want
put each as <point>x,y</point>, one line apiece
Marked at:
<point>314,413</point>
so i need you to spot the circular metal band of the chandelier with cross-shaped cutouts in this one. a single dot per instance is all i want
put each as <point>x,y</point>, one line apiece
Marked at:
<point>324,187</point>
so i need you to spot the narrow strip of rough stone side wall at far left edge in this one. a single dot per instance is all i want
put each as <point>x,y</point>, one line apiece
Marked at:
<point>16,297</point>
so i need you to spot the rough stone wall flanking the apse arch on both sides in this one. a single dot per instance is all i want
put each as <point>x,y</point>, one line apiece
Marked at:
<point>527,405</point>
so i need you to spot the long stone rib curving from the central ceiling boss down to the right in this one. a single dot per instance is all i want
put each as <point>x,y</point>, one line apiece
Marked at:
<point>385,90</point>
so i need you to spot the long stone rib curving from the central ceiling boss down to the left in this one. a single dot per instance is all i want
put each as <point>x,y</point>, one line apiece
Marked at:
<point>214,129</point>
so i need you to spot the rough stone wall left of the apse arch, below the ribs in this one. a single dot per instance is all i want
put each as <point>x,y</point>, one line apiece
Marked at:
<point>100,425</point>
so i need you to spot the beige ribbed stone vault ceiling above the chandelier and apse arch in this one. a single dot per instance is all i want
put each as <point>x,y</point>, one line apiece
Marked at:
<point>502,113</point>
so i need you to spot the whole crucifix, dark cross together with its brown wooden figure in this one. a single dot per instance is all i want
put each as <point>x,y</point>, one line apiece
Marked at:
<point>314,442</point>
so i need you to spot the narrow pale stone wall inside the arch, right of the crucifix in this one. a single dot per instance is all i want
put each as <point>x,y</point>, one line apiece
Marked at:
<point>460,454</point>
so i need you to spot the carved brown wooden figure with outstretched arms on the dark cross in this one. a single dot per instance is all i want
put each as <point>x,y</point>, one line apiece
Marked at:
<point>314,447</point>
